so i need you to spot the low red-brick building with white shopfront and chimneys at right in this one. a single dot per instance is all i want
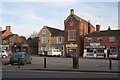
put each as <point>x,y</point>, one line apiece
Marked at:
<point>102,43</point>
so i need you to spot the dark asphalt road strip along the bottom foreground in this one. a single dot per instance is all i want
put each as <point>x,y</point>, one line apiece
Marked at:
<point>56,74</point>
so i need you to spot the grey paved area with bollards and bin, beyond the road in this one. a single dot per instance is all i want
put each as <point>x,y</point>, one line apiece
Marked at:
<point>66,64</point>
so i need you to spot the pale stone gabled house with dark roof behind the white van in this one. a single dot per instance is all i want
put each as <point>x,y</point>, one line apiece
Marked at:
<point>50,38</point>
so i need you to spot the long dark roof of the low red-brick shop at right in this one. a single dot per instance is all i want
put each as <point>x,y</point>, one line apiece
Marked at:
<point>104,33</point>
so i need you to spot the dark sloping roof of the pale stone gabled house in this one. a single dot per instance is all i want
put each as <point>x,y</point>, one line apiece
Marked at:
<point>55,32</point>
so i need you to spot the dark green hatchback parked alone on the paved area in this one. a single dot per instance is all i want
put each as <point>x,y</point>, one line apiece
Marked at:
<point>22,56</point>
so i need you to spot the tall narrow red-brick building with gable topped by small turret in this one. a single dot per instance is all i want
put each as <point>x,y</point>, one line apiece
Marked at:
<point>75,28</point>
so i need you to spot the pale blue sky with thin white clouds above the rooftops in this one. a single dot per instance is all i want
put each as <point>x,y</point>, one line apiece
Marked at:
<point>28,16</point>
